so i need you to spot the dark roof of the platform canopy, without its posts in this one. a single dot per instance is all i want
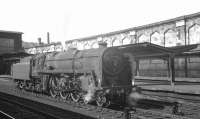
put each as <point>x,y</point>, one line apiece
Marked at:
<point>149,50</point>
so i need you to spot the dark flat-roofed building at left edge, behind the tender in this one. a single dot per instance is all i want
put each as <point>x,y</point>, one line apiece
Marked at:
<point>10,49</point>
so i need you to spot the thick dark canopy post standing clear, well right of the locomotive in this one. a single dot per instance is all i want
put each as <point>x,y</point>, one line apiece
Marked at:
<point>172,69</point>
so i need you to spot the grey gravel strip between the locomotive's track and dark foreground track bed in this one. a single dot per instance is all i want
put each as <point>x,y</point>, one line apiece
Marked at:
<point>8,86</point>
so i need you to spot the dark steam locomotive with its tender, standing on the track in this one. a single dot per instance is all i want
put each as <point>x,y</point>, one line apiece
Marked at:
<point>102,75</point>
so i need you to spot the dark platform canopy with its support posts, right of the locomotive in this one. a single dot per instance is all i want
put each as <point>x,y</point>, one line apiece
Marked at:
<point>151,51</point>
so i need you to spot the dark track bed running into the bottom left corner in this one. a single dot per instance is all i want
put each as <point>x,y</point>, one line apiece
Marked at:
<point>22,108</point>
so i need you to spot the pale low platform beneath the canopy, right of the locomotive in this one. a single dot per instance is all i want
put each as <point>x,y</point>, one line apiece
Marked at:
<point>181,85</point>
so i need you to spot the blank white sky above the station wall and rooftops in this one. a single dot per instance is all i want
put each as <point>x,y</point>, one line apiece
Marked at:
<point>70,19</point>
